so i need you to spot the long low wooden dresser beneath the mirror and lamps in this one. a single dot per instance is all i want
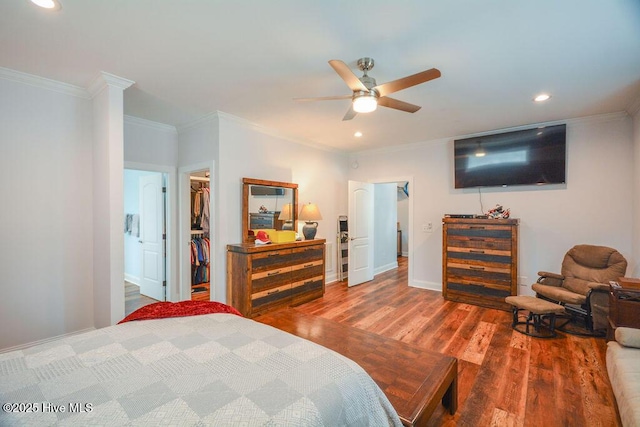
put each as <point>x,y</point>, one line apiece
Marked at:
<point>261,278</point>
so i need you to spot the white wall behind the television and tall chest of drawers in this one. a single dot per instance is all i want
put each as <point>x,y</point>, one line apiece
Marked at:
<point>594,207</point>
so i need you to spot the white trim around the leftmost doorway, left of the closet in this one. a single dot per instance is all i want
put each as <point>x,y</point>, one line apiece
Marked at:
<point>171,276</point>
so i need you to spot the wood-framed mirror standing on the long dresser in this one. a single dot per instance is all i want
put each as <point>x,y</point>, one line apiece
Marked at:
<point>268,205</point>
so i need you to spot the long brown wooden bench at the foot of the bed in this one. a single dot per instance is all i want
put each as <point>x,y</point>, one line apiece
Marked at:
<point>414,380</point>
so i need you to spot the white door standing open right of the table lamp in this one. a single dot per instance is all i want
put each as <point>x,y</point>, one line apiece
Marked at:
<point>360,232</point>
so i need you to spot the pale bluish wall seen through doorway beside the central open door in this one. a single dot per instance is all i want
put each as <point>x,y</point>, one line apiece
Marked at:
<point>385,224</point>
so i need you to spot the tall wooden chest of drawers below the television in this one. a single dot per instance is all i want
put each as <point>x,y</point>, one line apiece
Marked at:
<point>480,261</point>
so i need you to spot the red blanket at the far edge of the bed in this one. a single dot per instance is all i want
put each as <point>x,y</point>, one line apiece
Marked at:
<point>161,310</point>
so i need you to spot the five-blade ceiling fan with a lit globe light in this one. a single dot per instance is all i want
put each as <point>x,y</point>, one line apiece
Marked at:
<point>367,95</point>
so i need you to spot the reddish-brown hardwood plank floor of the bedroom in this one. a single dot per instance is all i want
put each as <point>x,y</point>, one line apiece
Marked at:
<point>504,378</point>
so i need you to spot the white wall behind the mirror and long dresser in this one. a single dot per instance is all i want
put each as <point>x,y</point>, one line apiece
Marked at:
<point>249,151</point>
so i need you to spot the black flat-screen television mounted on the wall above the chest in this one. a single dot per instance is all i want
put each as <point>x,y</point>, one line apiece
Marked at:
<point>524,157</point>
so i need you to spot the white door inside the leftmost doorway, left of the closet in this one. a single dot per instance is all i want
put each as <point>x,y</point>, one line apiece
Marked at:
<point>151,236</point>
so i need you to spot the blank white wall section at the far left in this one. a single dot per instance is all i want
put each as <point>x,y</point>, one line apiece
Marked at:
<point>46,228</point>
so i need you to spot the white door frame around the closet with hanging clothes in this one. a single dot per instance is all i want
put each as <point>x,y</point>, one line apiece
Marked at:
<point>184,215</point>
